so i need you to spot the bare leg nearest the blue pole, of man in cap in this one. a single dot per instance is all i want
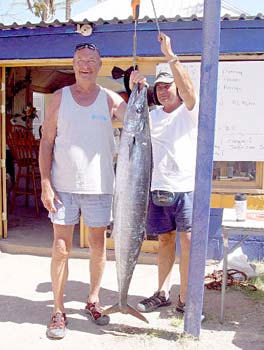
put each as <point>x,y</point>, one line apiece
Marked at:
<point>185,240</point>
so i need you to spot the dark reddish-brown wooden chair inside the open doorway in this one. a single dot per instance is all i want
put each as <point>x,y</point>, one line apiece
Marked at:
<point>24,149</point>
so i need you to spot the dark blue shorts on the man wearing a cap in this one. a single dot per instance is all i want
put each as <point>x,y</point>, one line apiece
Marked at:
<point>175,217</point>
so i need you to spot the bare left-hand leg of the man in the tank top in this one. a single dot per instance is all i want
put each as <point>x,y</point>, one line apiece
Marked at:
<point>59,263</point>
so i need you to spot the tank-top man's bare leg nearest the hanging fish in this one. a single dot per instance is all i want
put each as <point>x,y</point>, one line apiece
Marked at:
<point>97,245</point>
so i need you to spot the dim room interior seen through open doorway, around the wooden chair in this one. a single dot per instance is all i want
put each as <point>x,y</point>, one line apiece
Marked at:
<point>29,89</point>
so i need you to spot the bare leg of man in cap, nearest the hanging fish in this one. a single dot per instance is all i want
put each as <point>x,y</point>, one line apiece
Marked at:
<point>166,259</point>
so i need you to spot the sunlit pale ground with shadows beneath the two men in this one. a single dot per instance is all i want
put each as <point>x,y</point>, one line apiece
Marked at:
<point>26,304</point>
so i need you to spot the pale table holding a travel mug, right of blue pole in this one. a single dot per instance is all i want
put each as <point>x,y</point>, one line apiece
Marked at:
<point>252,226</point>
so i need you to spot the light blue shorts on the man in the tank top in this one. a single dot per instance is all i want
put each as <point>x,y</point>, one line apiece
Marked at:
<point>95,209</point>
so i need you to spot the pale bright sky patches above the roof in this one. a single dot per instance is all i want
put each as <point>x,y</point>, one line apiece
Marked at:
<point>12,10</point>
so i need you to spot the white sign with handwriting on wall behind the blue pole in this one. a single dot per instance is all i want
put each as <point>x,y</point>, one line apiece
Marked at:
<point>239,134</point>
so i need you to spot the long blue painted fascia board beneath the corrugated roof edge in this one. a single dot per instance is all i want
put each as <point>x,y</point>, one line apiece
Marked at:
<point>116,40</point>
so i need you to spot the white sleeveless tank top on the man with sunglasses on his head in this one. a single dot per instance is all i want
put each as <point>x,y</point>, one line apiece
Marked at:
<point>84,146</point>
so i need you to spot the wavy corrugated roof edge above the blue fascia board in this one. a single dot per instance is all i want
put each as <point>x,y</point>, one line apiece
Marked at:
<point>115,20</point>
